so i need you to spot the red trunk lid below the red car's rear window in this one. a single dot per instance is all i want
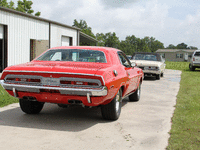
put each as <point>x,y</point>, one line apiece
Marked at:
<point>65,67</point>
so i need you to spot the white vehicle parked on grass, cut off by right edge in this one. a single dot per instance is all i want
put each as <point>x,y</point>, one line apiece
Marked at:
<point>195,60</point>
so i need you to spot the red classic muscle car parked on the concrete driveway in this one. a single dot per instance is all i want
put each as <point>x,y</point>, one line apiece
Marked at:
<point>81,75</point>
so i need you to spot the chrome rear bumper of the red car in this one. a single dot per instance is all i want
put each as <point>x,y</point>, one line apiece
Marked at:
<point>68,91</point>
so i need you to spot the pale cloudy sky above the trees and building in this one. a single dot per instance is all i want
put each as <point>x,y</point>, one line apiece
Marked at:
<point>169,21</point>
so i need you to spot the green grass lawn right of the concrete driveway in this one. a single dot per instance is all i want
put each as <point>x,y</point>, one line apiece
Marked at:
<point>185,131</point>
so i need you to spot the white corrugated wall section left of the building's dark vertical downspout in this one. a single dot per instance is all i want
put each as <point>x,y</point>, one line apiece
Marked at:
<point>20,30</point>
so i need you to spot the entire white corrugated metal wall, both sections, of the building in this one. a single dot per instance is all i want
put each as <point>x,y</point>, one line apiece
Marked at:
<point>22,29</point>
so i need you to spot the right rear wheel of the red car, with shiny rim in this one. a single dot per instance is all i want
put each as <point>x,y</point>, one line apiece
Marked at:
<point>112,110</point>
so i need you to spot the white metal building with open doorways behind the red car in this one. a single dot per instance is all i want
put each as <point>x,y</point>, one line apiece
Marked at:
<point>23,36</point>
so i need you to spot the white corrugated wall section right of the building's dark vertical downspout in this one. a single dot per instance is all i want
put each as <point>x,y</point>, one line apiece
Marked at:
<point>58,31</point>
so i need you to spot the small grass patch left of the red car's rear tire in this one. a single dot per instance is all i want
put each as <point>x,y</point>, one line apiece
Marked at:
<point>5,98</point>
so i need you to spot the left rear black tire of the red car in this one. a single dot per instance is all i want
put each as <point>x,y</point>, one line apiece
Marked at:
<point>30,107</point>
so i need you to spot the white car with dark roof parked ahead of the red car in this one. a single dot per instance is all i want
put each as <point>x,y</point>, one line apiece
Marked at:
<point>152,64</point>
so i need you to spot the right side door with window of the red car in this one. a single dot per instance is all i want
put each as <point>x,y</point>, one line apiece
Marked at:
<point>131,72</point>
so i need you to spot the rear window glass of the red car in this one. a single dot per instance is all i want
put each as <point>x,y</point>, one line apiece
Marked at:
<point>75,55</point>
